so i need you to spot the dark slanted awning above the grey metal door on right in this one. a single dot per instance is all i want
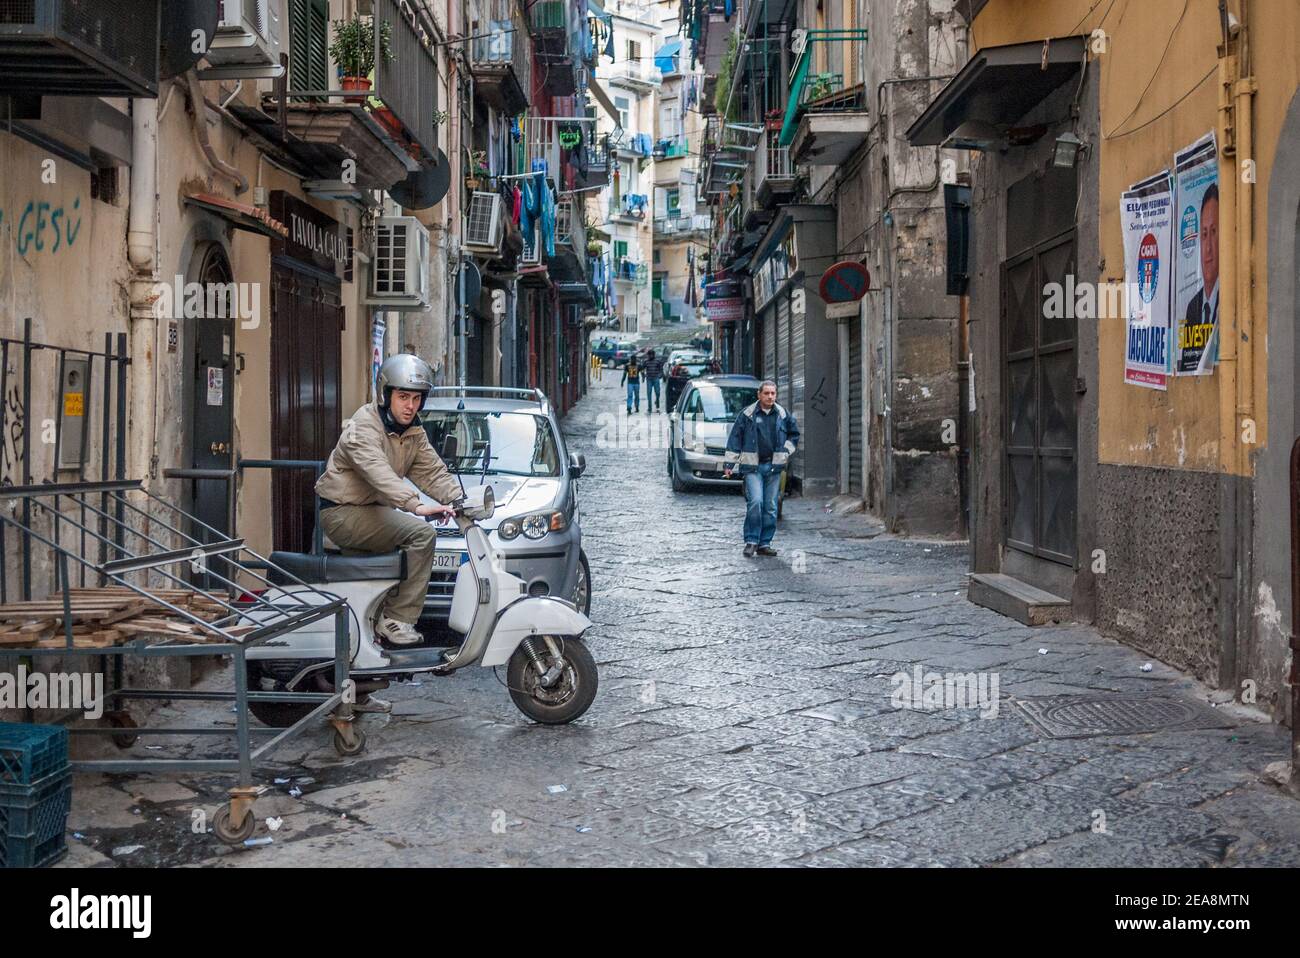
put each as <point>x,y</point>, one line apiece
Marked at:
<point>996,88</point>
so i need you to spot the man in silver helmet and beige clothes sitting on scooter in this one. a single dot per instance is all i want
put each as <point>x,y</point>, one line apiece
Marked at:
<point>365,488</point>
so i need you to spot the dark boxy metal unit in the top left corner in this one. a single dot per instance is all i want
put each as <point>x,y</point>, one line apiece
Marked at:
<point>80,47</point>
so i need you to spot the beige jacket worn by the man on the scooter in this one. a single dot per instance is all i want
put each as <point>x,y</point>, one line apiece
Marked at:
<point>369,466</point>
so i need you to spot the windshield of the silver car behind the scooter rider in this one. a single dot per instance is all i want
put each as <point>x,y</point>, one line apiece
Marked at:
<point>519,444</point>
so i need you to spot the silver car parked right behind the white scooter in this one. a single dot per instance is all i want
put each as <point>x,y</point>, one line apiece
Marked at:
<point>535,482</point>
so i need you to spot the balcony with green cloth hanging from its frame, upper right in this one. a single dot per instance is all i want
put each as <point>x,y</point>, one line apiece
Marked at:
<point>825,122</point>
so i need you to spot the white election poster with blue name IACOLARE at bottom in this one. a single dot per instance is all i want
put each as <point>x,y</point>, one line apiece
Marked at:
<point>1146,214</point>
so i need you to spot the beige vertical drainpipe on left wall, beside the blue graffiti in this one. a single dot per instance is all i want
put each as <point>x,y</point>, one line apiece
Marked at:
<point>142,253</point>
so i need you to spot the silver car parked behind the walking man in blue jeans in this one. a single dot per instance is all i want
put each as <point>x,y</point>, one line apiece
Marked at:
<point>699,428</point>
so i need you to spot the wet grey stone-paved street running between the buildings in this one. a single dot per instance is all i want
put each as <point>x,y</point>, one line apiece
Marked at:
<point>747,716</point>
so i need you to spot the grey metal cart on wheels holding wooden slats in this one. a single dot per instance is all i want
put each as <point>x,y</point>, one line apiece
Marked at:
<point>133,575</point>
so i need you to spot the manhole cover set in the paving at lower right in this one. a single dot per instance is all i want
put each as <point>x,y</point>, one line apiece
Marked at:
<point>1076,717</point>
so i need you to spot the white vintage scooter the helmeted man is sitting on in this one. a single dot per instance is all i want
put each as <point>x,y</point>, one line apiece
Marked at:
<point>549,671</point>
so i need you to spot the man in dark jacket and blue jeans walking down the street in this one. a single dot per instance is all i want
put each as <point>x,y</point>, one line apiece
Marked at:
<point>762,441</point>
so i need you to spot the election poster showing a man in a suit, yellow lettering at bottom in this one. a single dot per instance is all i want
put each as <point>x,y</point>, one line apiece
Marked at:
<point>1197,262</point>
